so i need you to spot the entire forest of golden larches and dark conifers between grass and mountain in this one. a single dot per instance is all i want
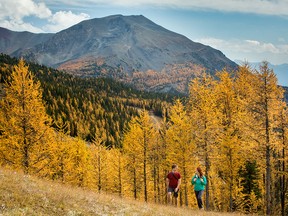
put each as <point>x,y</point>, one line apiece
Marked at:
<point>233,125</point>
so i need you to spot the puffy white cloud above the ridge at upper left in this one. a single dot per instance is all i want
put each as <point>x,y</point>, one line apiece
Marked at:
<point>13,14</point>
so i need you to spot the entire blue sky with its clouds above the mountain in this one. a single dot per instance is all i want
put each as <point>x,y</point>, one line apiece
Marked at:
<point>246,30</point>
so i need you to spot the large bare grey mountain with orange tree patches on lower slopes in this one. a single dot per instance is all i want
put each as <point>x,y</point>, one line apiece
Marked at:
<point>132,49</point>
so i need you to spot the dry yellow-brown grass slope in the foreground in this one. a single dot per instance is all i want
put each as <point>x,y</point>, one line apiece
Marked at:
<point>26,195</point>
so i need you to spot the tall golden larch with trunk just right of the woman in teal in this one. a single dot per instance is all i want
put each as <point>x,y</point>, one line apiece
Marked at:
<point>202,109</point>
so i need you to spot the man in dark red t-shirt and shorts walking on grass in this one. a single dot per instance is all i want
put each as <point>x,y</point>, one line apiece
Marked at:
<point>173,181</point>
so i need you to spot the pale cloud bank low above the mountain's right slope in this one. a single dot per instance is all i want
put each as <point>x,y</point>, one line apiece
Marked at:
<point>250,50</point>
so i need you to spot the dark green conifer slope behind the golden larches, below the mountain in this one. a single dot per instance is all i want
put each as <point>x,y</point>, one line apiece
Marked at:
<point>86,106</point>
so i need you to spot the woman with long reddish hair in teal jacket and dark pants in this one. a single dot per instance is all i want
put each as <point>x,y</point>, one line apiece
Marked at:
<point>199,181</point>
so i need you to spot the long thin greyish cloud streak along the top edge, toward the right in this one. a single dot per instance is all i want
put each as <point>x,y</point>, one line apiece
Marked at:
<point>268,7</point>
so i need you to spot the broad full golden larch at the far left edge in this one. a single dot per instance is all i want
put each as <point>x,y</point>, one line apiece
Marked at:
<point>24,124</point>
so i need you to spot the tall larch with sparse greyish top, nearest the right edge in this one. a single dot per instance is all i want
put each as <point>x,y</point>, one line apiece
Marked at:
<point>266,109</point>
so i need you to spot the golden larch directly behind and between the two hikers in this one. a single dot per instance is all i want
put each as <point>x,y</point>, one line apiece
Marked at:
<point>181,147</point>
